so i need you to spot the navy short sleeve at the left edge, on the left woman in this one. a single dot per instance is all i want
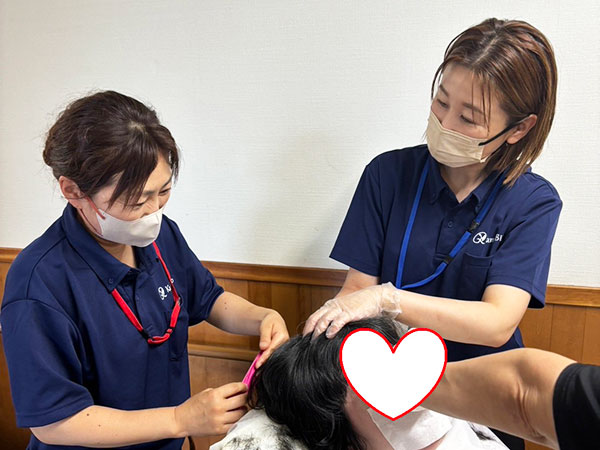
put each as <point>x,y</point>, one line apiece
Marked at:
<point>43,354</point>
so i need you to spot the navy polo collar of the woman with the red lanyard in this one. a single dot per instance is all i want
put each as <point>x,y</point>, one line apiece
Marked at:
<point>109,270</point>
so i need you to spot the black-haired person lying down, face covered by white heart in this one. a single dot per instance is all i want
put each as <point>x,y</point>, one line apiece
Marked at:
<point>300,400</point>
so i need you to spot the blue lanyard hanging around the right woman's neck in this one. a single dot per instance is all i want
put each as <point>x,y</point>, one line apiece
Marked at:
<point>459,245</point>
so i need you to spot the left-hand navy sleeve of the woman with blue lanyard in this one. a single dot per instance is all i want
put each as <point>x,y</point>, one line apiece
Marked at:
<point>360,242</point>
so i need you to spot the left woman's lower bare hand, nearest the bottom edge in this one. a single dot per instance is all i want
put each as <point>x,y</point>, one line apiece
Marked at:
<point>212,411</point>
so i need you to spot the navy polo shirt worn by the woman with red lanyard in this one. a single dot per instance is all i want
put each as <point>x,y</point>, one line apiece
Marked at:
<point>68,344</point>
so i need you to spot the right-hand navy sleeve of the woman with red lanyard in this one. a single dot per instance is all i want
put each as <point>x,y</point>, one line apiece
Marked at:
<point>203,289</point>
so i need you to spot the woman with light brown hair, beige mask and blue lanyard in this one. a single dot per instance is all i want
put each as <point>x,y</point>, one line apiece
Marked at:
<point>455,235</point>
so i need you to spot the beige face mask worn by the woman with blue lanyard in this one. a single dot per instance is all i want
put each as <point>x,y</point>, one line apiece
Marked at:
<point>453,149</point>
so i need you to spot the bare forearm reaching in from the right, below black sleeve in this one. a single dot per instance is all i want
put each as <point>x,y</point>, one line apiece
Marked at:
<point>511,391</point>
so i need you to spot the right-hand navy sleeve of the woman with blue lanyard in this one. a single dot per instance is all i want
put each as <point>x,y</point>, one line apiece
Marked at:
<point>523,259</point>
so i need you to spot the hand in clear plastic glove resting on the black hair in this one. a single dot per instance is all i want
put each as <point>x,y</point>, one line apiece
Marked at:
<point>381,299</point>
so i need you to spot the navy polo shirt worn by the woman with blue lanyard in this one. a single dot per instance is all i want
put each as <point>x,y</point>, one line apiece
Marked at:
<point>511,246</point>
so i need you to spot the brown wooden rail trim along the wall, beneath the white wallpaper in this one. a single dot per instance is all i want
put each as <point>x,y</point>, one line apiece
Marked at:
<point>555,295</point>
